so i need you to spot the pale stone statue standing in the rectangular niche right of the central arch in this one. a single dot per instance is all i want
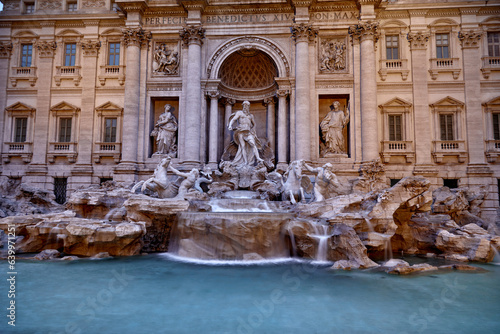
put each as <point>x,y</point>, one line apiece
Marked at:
<point>332,130</point>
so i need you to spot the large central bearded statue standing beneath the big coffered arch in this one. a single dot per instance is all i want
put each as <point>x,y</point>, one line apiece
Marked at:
<point>243,124</point>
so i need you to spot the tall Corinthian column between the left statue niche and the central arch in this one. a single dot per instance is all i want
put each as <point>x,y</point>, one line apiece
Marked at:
<point>193,36</point>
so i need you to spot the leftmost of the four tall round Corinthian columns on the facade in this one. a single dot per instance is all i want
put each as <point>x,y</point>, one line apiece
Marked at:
<point>134,39</point>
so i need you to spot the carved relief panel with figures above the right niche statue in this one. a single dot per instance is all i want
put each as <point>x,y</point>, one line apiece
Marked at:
<point>332,55</point>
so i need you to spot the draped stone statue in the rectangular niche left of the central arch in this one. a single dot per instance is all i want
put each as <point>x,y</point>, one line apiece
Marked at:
<point>165,130</point>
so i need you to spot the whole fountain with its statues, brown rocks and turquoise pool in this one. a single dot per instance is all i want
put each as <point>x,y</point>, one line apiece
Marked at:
<point>251,248</point>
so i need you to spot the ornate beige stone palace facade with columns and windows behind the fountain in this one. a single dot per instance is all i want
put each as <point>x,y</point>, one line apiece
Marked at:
<point>83,83</point>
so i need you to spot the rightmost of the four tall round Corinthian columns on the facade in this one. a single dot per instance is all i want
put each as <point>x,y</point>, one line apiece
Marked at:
<point>367,33</point>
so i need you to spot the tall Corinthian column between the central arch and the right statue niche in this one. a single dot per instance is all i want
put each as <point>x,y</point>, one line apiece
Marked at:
<point>302,34</point>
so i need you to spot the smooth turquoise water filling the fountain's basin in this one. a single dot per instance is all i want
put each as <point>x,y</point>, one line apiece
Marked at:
<point>154,294</point>
